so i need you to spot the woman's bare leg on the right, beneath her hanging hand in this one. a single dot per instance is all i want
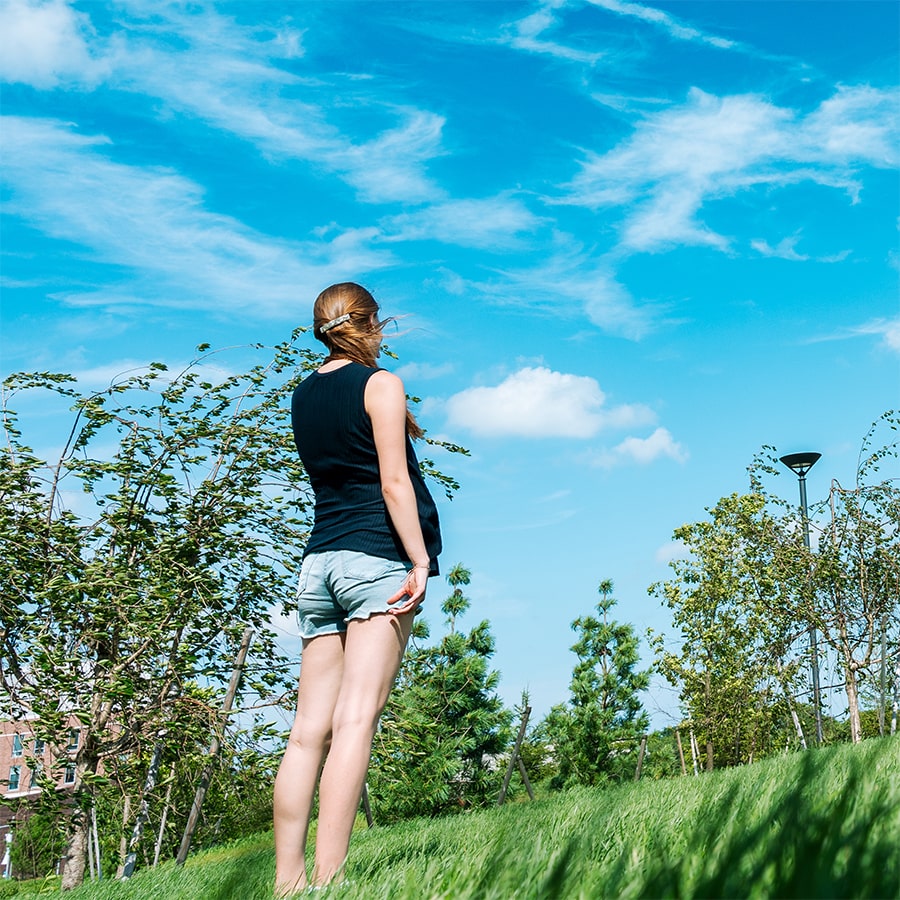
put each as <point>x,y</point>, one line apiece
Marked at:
<point>372,656</point>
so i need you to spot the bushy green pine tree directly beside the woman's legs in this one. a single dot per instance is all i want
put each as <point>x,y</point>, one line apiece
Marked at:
<point>444,725</point>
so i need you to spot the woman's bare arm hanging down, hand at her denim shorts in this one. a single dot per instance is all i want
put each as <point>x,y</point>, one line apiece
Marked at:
<point>385,402</point>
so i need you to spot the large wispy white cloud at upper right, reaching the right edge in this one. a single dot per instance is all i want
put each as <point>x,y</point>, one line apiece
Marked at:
<point>714,147</point>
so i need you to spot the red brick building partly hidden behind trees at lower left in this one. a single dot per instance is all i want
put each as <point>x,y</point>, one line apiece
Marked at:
<point>23,758</point>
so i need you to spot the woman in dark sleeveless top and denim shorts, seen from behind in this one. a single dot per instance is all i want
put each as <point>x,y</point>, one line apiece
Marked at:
<point>374,544</point>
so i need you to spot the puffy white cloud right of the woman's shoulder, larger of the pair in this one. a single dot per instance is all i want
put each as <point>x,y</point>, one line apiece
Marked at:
<point>538,402</point>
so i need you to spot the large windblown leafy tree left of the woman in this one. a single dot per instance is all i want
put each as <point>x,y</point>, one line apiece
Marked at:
<point>193,514</point>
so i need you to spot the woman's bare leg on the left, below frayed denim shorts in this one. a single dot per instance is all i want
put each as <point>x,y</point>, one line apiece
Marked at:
<point>321,671</point>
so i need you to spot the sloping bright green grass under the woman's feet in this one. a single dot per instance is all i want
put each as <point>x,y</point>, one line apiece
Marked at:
<point>819,824</point>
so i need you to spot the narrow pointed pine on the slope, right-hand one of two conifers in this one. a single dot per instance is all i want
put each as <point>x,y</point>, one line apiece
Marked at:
<point>595,735</point>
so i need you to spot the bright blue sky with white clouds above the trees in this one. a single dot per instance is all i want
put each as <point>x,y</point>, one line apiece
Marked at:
<point>633,243</point>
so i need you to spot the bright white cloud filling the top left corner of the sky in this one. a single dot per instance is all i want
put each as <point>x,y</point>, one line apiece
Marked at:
<point>44,43</point>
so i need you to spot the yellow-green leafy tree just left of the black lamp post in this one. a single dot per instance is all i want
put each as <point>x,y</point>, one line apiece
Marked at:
<point>735,666</point>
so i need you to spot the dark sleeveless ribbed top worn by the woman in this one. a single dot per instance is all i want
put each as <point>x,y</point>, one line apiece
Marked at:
<point>333,435</point>
